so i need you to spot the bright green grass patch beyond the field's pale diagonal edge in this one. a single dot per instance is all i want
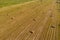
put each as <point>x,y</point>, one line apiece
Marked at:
<point>11,2</point>
